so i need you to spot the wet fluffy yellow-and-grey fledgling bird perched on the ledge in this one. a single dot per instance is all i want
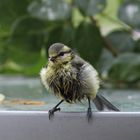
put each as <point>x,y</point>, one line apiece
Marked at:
<point>73,79</point>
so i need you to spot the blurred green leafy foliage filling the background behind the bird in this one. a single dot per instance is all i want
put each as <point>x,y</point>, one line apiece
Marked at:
<point>104,32</point>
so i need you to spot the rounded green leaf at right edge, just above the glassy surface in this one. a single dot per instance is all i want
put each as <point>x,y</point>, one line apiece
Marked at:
<point>126,68</point>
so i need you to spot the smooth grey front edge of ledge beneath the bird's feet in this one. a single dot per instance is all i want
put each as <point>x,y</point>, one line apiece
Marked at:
<point>35,125</point>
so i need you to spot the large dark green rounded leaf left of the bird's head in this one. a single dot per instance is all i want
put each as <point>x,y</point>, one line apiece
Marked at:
<point>27,39</point>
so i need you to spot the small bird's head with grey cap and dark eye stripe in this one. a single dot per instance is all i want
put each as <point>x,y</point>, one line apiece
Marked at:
<point>60,54</point>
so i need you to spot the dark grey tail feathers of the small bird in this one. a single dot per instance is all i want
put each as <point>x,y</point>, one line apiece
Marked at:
<point>101,102</point>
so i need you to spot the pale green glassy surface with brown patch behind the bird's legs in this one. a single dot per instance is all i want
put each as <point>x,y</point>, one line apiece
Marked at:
<point>29,94</point>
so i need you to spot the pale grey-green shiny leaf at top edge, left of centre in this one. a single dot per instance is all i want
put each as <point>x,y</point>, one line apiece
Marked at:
<point>50,10</point>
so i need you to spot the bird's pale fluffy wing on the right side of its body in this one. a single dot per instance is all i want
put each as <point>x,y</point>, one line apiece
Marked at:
<point>88,75</point>
